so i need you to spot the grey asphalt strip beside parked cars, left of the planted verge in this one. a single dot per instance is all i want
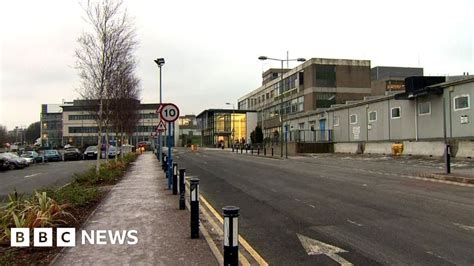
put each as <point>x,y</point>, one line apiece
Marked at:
<point>53,174</point>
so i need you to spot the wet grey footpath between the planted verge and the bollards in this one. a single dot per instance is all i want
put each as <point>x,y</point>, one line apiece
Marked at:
<point>141,201</point>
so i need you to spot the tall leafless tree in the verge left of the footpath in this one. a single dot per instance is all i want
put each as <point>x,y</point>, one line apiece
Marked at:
<point>109,43</point>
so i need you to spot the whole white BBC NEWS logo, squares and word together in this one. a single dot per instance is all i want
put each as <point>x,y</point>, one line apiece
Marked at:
<point>66,237</point>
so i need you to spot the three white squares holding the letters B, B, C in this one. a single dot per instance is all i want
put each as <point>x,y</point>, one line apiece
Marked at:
<point>43,237</point>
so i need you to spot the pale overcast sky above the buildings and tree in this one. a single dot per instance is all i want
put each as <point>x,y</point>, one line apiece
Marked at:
<point>211,47</point>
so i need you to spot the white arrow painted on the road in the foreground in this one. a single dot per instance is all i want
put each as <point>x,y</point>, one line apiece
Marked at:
<point>315,247</point>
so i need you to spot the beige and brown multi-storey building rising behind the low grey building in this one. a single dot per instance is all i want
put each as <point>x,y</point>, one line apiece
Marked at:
<point>316,84</point>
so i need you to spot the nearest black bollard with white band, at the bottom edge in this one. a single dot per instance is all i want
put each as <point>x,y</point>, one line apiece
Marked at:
<point>231,235</point>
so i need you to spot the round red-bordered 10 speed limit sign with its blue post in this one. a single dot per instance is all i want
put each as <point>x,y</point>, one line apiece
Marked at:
<point>169,113</point>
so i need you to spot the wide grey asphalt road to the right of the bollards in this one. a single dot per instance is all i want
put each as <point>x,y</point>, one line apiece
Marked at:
<point>368,207</point>
